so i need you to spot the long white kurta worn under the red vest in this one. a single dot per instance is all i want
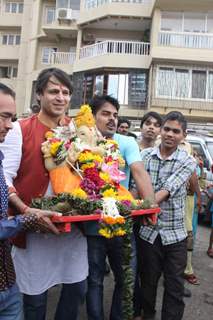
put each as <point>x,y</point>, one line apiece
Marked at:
<point>48,259</point>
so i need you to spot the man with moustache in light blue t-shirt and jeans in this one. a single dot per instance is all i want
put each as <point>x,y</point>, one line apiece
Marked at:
<point>105,110</point>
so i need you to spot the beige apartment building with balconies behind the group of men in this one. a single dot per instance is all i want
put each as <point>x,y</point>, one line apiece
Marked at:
<point>150,54</point>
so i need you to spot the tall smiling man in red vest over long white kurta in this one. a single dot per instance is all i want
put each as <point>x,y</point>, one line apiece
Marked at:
<point>43,260</point>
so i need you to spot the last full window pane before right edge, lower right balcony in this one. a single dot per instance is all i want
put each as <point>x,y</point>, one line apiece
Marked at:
<point>198,84</point>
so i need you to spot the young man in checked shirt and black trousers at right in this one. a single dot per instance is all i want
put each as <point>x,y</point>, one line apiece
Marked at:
<point>163,246</point>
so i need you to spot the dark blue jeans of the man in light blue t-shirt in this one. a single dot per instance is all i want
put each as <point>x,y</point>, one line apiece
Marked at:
<point>98,249</point>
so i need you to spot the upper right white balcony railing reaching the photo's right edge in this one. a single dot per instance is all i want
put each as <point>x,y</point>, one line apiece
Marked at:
<point>185,40</point>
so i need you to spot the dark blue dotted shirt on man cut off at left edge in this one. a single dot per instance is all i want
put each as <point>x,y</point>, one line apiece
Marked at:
<point>8,228</point>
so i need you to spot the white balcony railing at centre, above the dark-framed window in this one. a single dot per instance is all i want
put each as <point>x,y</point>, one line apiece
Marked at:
<point>115,47</point>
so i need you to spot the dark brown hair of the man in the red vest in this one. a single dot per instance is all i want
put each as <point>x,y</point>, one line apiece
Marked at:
<point>44,76</point>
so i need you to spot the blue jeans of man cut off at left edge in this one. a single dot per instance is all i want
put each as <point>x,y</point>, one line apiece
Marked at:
<point>11,304</point>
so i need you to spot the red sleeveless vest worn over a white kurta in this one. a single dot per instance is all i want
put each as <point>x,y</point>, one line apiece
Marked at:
<point>32,177</point>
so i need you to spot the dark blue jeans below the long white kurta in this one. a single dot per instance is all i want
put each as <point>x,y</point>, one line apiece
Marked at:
<point>72,296</point>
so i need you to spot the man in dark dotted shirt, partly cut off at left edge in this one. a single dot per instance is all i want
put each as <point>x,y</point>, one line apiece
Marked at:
<point>10,299</point>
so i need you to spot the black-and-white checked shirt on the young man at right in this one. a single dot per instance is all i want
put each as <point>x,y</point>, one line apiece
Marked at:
<point>169,174</point>
